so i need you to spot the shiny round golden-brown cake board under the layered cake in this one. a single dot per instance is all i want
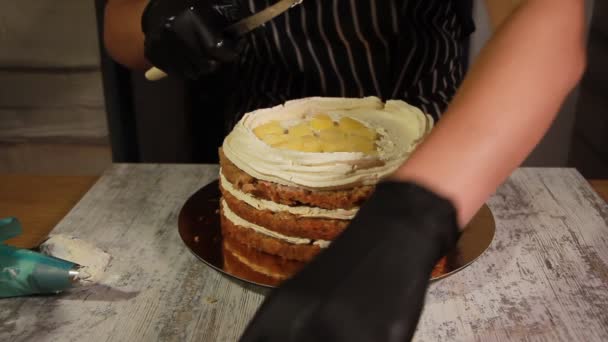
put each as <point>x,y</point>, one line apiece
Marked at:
<point>199,228</point>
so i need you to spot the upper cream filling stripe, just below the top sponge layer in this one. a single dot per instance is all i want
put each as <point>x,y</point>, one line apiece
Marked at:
<point>305,211</point>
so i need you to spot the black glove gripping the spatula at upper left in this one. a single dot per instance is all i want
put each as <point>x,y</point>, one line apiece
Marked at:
<point>186,37</point>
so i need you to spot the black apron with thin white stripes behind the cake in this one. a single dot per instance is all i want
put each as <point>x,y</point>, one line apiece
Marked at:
<point>394,49</point>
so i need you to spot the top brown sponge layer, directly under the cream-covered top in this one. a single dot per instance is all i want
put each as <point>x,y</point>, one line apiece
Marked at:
<point>291,195</point>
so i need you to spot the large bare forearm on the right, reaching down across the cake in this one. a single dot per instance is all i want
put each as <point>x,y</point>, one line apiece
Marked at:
<point>505,105</point>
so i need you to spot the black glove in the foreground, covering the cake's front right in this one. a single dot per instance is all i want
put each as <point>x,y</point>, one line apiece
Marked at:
<point>369,285</point>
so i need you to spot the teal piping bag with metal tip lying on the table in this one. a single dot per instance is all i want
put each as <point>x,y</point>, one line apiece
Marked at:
<point>24,272</point>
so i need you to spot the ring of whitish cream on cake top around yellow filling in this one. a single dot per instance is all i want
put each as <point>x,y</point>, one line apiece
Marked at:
<point>400,126</point>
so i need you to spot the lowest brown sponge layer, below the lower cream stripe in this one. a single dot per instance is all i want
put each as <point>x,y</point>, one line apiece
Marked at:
<point>265,243</point>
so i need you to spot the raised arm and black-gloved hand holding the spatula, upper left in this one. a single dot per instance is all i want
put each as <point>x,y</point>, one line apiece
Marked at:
<point>180,37</point>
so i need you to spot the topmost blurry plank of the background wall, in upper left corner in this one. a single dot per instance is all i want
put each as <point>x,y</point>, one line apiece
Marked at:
<point>48,33</point>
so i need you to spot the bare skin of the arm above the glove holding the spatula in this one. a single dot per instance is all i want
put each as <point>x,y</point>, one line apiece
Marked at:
<point>123,36</point>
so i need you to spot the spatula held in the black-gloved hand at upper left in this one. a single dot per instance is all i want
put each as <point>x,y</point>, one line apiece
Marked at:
<point>241,28</point>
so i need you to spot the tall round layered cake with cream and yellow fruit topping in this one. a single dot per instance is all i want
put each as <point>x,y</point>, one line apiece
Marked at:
<point>293,176</point>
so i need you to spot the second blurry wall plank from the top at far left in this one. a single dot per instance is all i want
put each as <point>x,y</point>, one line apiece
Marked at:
<point>52,107</point>
